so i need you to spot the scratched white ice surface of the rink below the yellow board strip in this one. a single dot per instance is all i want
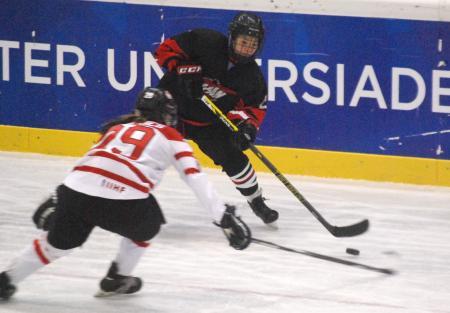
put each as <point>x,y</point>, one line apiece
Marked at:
<point>190,268</point>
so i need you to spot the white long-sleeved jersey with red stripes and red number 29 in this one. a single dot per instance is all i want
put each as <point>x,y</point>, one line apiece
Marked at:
<point>129,161</point>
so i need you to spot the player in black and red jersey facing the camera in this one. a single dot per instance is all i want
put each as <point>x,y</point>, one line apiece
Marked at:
<point>204,61</point>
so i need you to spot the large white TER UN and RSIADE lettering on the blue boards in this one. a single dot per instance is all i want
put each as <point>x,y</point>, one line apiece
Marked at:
<point>329,82</point>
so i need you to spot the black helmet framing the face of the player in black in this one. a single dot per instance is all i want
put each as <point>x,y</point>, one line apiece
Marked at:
<point>245,24</point>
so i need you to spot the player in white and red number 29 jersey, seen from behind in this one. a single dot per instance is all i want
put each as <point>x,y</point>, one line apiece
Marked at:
<point>111,187</point>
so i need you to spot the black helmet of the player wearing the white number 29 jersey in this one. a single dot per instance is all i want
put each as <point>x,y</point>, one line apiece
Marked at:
<point>157,105</point>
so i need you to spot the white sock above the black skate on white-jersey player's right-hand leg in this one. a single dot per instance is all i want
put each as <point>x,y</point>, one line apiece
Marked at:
<point>130,252</point>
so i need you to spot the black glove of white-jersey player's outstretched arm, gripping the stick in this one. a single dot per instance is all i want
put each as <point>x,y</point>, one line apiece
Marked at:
<point>236,231</point>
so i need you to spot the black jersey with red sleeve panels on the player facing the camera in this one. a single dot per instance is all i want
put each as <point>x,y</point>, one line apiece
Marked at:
<point>232,86</point>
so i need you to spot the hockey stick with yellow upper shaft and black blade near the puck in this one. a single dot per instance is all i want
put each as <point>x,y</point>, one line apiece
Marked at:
<point>337,231</point>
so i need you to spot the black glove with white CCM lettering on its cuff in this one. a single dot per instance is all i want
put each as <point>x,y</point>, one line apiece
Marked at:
<point>190,79</point>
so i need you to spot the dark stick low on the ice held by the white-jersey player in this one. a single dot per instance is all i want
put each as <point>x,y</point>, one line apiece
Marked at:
<point>324,257</point>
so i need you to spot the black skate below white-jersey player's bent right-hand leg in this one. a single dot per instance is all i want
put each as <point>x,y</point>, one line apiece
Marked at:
<point>114,284</point>
